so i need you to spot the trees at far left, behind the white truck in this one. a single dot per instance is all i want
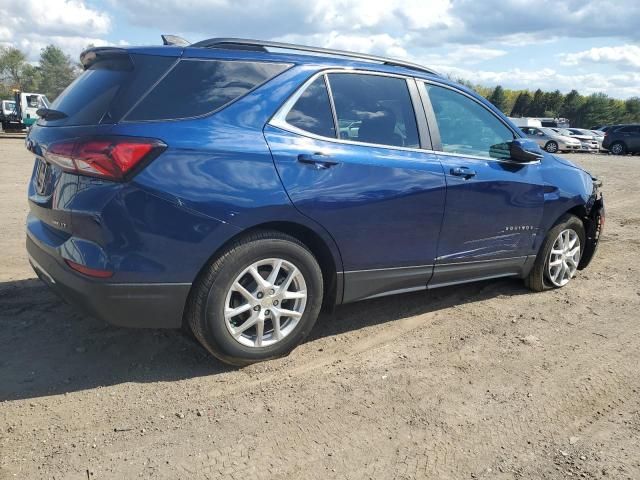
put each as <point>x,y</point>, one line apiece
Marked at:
<point>50,76</point>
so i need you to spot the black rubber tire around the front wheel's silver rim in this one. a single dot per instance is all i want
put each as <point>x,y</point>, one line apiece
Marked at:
<point>539,279</point>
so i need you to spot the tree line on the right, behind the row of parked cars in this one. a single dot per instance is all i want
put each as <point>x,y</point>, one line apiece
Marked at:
<point>582,111</point>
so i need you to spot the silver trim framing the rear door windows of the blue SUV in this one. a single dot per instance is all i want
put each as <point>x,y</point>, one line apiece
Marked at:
<point>278,120</point>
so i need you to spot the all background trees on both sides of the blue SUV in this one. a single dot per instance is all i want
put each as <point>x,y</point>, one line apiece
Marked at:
<point>55,70</point>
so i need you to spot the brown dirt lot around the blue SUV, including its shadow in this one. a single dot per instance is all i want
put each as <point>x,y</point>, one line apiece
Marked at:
<point>479,381</point>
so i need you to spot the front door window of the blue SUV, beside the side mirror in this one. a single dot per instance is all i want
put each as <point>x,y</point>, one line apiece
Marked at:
<point>466,127</point>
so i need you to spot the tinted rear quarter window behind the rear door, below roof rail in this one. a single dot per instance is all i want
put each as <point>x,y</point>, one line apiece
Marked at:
<point>197,87</point>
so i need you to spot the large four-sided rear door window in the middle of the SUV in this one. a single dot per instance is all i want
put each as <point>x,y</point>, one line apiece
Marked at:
<point>374,109</point>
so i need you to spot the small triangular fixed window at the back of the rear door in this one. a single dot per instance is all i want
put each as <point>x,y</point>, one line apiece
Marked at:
<point>312,111</point>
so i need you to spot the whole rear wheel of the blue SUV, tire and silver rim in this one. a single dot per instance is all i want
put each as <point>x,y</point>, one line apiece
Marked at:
<point>217,288</point>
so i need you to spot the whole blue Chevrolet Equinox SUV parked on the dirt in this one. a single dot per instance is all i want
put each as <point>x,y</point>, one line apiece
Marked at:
<point>238,186</point>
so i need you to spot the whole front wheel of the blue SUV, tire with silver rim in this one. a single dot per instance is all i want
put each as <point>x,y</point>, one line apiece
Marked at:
<point>558,259</point>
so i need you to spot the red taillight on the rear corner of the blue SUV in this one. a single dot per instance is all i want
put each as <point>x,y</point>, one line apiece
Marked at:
<point>112,158</point>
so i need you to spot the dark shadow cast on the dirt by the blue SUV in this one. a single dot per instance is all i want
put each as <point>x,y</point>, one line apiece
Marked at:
<point>49,348</point>
